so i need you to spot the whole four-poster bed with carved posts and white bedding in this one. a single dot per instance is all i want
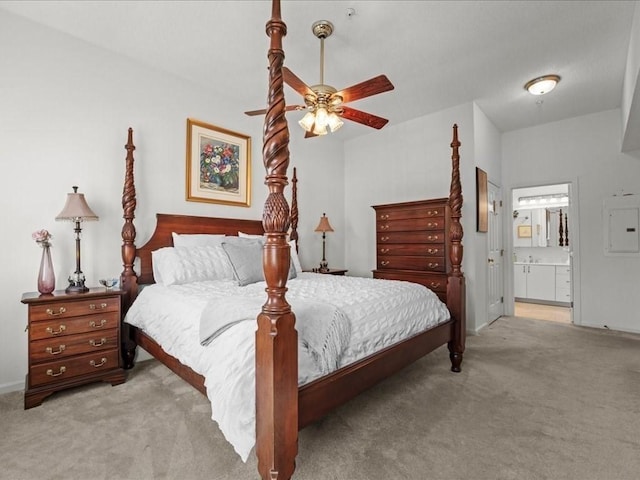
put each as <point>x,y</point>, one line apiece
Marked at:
<point>291,389</point>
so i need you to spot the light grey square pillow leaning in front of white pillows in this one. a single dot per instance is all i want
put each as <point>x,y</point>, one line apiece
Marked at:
<point>245,255</point>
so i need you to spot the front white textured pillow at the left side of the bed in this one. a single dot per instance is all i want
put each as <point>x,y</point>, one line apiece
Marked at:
<point>179,265</point>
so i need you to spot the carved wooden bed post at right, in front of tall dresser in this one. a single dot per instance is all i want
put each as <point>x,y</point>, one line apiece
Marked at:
<point>455,281</point>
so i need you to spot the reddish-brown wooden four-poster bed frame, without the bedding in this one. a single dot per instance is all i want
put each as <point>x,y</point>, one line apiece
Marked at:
<point>281,406</point>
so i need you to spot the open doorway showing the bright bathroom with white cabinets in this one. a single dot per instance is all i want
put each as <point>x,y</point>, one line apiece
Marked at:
<point>542,239</point>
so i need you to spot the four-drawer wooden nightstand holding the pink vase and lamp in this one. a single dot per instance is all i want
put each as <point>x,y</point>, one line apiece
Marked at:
<point>74,339</point>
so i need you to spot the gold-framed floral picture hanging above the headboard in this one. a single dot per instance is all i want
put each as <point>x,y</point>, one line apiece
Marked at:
<point>218,165</point>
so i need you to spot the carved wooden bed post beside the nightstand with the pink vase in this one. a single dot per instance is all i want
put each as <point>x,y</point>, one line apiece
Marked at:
<point>128,277</point>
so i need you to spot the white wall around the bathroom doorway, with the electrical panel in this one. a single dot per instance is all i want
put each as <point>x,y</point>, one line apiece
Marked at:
<point>585,151</point>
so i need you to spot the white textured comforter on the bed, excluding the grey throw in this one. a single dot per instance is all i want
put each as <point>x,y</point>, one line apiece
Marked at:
<point>381,313</point>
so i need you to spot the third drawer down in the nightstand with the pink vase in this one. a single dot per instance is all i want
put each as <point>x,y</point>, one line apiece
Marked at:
<point>55,348</point>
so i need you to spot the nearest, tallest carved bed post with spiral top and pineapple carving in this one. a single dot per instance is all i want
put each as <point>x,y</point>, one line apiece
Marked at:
<point>276,337</point>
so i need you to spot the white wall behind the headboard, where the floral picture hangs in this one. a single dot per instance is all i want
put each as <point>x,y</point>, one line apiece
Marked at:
<point>66,107</point>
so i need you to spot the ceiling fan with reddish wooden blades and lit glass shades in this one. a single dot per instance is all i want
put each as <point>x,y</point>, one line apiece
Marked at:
<point>324,104</point>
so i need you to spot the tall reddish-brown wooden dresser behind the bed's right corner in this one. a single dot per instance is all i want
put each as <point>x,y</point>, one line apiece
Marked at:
<point>411,243</point>
